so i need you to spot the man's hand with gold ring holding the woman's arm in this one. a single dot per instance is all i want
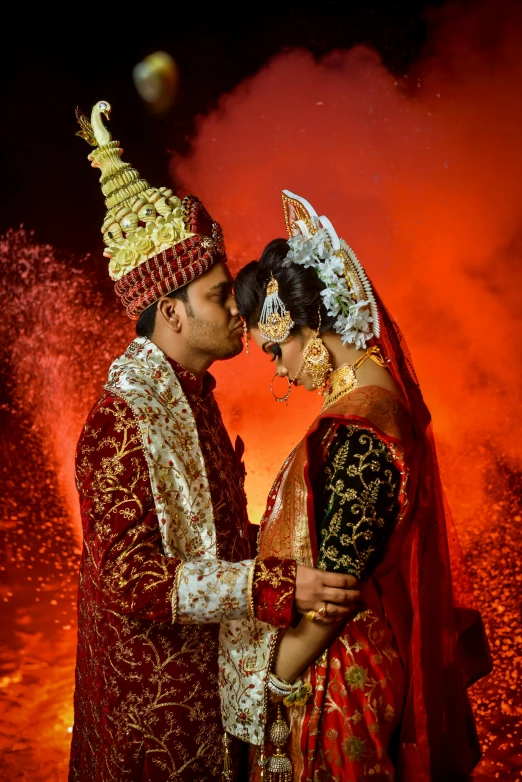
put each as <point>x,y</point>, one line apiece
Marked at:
<point>315,588</point>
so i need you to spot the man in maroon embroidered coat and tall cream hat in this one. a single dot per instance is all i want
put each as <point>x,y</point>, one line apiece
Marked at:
<point>166,553</point>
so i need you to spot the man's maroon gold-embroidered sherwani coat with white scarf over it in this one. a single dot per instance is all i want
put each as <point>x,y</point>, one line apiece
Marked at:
<point>166,557</point>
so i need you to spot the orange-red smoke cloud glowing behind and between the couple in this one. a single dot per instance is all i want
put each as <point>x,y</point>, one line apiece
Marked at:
<point>422,175</point>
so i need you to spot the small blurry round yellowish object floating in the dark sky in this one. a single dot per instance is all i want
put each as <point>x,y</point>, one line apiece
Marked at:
<point>156,80</point>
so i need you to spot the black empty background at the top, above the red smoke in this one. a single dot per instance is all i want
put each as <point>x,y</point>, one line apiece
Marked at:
<point>55,60</point>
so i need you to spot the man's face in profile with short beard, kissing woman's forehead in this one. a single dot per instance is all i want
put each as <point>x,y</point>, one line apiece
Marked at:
<point>214,325</point>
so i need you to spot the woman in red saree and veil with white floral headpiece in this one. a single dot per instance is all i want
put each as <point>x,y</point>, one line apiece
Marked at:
<point>383,695</point>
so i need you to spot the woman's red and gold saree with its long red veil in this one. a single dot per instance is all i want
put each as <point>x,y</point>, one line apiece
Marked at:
<point>389,695</point>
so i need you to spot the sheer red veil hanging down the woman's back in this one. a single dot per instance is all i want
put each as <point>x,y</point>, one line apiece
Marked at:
<point>444,642</point>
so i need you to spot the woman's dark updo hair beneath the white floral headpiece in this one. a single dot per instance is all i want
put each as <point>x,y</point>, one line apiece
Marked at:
<point>299,289</point>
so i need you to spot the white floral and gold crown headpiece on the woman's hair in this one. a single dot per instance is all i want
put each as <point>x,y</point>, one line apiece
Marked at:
<point>348,295</point>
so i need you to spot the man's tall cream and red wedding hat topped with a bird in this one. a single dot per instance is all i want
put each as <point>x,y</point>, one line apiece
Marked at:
<point>155,242</point>
